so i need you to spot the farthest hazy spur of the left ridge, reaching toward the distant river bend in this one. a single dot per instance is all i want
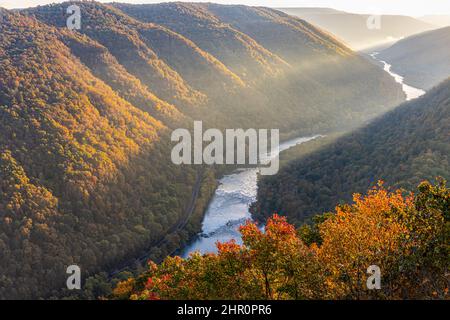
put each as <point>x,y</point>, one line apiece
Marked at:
<point>323,62</point>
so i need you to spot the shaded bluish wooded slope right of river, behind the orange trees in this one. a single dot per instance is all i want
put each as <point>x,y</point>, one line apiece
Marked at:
<point>402,148</point>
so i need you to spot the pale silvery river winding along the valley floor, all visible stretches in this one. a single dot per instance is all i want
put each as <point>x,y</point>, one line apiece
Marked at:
<point>229,207</point>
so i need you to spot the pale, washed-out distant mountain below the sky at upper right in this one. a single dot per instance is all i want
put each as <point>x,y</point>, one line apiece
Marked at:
<point>353,28</point>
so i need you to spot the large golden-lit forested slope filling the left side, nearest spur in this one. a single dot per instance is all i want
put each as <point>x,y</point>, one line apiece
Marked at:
<point>84,175</point>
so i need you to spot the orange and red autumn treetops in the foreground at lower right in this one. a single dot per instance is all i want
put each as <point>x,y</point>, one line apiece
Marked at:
<point>405,236</point>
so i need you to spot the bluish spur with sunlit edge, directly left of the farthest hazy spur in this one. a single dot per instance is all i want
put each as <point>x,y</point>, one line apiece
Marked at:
<point>237,50</point>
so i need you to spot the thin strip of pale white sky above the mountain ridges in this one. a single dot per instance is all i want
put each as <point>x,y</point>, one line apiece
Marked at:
<point>406,7</point>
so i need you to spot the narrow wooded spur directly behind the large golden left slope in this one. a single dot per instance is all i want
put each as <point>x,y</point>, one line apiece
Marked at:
<point>118,34</point>
